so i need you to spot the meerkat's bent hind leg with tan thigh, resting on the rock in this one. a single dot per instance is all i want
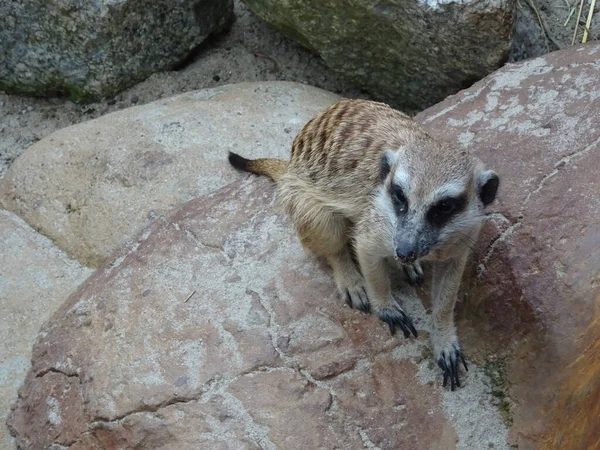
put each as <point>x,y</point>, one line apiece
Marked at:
<point>329,239</point>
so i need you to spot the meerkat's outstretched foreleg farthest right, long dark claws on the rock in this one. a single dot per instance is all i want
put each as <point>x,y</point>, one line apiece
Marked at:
<point>446,349</point>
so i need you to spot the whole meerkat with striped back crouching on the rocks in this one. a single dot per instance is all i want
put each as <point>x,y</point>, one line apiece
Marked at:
<point>367,184</point>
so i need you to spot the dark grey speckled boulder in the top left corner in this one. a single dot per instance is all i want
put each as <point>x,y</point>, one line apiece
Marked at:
<point>91,50</point>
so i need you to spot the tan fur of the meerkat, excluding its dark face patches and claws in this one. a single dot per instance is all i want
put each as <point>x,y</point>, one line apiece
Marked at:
<point>331,191</point>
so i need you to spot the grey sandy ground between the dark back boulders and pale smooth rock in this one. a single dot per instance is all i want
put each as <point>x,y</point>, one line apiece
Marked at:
<point>248,51</point>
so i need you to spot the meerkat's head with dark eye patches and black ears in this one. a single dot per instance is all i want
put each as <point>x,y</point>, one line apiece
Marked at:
<point>433,195</point>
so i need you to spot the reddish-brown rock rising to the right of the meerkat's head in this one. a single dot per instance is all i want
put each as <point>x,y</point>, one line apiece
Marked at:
<point>536,285</point>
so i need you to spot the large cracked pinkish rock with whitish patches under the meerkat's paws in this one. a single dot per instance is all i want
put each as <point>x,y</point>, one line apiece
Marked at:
<point>216,330</point>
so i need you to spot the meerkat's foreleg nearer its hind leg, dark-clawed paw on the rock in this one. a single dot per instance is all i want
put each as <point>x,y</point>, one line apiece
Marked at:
<point>382,302</point>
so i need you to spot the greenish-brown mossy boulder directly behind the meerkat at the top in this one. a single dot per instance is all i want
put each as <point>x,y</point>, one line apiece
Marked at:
<point>412,53</point>
